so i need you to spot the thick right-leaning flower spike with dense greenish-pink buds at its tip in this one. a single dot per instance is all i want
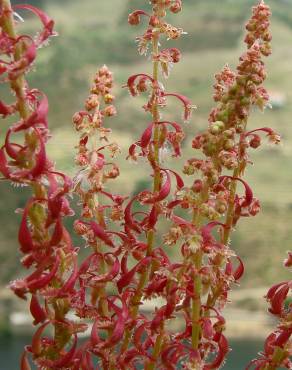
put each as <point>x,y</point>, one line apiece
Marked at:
<point>213,197</point>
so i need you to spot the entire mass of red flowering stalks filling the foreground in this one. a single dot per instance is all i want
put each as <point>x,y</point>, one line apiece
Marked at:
<point>129,262</point>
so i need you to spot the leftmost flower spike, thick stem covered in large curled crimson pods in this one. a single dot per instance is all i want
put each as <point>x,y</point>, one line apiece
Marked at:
<point>44,241</point>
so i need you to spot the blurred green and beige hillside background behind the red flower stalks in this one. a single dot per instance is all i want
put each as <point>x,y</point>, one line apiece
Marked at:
<point>94,32</point>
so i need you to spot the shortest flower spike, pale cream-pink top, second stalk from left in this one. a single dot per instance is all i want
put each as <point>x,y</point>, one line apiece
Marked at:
<point>99,272</point>
